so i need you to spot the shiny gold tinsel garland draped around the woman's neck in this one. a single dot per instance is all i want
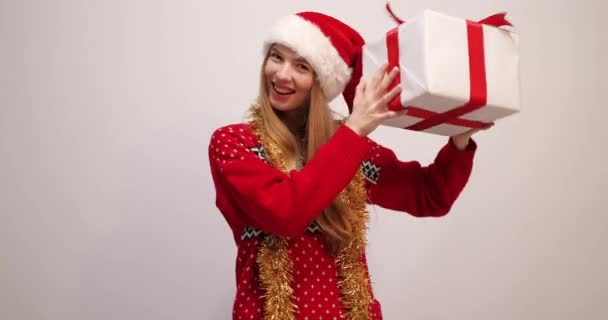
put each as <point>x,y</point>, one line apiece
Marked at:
<point>273,261</point>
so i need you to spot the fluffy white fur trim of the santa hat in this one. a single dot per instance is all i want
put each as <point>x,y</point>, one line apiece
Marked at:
<point>310,42</point>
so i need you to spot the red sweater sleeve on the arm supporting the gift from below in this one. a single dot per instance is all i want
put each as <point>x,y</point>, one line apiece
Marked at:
<point>417,190</point>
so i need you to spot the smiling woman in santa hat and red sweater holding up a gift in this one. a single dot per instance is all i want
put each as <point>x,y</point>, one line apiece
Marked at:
<point>293,183</point>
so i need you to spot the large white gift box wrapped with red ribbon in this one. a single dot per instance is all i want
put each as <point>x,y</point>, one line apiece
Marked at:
<point>455,74</point>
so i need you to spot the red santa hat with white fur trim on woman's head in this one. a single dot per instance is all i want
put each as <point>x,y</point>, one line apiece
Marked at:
<point>332,48</point>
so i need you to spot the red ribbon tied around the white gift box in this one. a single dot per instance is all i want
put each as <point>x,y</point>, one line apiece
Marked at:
<point>477,77</point>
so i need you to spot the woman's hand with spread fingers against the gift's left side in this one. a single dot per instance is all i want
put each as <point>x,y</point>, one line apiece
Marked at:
<point>370,105</point>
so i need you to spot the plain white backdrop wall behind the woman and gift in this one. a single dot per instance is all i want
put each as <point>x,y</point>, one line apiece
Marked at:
<point>107,205</point>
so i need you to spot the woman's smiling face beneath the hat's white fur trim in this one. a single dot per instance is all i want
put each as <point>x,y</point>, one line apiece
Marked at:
<point>289,78</point>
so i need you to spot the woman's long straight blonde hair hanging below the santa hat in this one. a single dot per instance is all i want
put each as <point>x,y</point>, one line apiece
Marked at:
<point>334,221</point>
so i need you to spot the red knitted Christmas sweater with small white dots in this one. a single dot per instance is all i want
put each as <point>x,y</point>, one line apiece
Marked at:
<point>256,198</point>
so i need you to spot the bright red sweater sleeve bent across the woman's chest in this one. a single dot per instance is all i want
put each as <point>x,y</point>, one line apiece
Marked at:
<point>265,198</point>
